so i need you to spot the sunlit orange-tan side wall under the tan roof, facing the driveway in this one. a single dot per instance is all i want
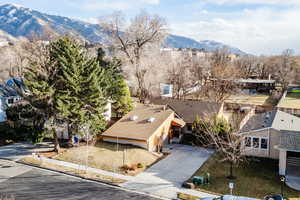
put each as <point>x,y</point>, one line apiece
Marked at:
<point>160,136</point>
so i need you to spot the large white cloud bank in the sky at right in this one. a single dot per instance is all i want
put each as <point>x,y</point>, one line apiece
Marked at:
<point>258,31</point>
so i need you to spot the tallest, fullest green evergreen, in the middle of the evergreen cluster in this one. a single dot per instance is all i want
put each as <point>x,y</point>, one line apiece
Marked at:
<point>80,97</point>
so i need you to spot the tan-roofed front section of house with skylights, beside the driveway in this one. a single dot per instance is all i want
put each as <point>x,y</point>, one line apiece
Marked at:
<point>147,126</point>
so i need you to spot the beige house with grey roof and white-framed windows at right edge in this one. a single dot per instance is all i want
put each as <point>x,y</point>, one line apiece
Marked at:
<point>268,135</point>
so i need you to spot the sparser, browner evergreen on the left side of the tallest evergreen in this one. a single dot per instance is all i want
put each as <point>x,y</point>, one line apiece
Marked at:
<point>40,78</point>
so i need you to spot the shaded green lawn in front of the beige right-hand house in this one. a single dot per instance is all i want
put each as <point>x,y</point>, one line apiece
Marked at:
<point>256,178</point>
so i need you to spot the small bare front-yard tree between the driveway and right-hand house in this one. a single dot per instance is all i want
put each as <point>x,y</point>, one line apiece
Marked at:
<point>223,137</point>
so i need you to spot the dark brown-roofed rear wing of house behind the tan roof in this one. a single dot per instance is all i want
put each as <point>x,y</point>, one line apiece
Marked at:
<point>188,110</point>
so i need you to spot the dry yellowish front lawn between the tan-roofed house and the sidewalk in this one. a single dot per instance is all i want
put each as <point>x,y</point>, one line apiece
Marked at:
<point>105,156</point>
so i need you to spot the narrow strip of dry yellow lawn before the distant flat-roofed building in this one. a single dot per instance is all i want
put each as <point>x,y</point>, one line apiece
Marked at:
<point>261,100</point>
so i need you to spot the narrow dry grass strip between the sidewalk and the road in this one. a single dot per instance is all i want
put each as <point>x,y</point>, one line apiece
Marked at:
<point>82,173</point>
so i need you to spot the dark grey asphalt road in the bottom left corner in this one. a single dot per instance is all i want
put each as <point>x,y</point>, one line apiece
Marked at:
<point>45,185</point>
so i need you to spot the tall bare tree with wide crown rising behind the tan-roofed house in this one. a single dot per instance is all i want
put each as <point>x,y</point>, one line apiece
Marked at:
<point>143,31</point>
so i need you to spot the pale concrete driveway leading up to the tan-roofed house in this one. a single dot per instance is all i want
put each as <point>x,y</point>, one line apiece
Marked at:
<point>165,177</point>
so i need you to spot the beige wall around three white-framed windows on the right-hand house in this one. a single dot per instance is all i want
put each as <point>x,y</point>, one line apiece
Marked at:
<point>273,140</point>
